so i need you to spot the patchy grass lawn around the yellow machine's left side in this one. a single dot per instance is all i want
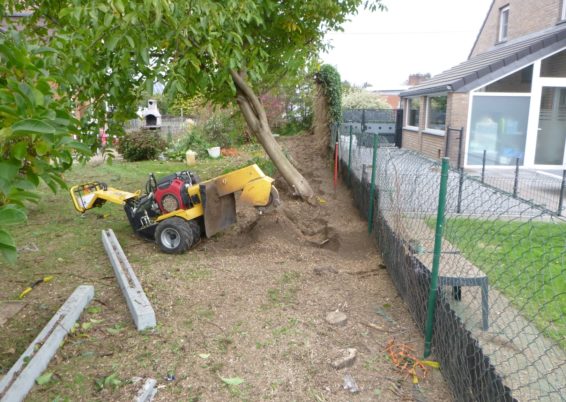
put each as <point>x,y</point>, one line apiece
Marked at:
<point>58,241</point>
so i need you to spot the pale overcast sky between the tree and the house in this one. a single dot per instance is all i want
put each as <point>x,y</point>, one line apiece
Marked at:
<point>413,36</point>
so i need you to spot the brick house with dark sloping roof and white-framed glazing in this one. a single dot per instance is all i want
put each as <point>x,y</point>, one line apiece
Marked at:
<point>509,96</point>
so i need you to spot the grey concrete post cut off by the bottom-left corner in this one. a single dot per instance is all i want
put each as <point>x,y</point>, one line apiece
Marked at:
<point>15,385</point>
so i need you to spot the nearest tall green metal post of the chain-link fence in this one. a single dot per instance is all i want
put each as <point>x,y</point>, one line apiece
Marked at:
<point>436,256</point>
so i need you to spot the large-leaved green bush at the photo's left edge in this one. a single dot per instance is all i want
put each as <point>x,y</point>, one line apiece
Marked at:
<point>36,132</point>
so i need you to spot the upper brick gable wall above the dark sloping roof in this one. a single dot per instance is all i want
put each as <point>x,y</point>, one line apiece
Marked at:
<point>525,16</point>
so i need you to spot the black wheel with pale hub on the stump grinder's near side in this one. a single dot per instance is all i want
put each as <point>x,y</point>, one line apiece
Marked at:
<point>174,235</point>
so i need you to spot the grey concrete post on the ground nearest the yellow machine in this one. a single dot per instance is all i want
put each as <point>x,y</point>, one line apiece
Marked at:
<point>138,304</point>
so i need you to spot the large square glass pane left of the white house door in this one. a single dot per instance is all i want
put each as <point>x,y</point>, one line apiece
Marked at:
<point>498,126</point>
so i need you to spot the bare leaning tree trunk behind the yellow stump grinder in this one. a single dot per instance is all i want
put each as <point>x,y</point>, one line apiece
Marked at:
<point>256,119</point>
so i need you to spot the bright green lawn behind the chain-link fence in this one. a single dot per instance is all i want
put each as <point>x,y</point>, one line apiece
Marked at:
<point>526,261</point>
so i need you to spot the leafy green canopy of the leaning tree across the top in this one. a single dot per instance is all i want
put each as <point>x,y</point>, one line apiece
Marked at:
<point>113,50</point>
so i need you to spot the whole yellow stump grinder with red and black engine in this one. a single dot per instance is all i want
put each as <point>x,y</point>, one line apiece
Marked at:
<point>176,210</point>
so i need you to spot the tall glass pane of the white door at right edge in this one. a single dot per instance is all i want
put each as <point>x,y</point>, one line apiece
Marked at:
<point>551,138</point>
